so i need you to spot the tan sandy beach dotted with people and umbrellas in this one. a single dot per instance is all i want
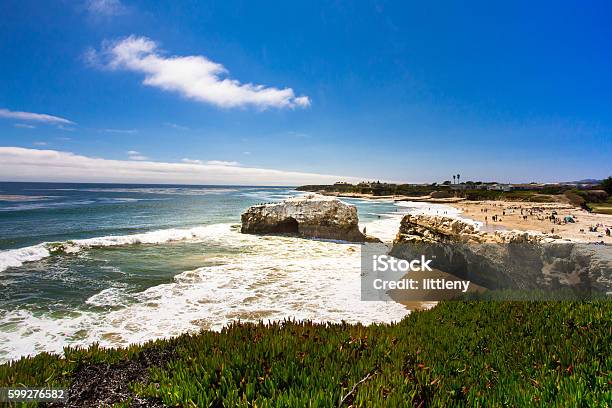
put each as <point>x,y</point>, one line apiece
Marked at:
<point>528,216</point>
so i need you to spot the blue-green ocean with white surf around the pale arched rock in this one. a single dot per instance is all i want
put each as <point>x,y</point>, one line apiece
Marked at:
<point>139,262</point>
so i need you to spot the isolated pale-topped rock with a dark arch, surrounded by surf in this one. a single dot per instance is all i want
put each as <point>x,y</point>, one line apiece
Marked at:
<point>312,216</point>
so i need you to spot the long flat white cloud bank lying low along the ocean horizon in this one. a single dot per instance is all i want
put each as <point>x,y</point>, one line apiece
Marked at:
<point>21,164</point>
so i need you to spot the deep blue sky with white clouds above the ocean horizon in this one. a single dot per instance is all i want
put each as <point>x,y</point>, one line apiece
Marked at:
<point>364,90</point>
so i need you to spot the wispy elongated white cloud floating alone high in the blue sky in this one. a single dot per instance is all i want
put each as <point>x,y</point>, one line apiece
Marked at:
<point>195,76</point>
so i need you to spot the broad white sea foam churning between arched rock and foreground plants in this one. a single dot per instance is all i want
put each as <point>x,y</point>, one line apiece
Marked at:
<point>270,278</point>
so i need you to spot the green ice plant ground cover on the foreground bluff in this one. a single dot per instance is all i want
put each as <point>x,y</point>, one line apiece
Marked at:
<point>472,353</point>
